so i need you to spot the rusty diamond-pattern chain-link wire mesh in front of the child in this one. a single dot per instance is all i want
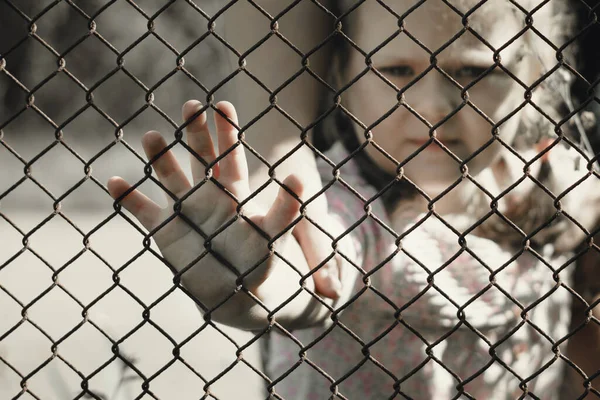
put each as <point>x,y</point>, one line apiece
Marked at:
<point>337,34</point>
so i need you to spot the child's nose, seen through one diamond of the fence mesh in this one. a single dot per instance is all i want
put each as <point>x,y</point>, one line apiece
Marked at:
<point>434,97</point>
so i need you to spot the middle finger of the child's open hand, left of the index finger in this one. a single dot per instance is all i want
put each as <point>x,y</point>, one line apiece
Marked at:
<point>199,140</point>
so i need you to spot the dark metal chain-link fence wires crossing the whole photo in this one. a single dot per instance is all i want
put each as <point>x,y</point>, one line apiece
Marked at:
<point>28,91</point>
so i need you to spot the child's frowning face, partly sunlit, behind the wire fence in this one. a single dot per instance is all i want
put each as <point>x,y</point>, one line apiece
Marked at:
<point>434,97</point>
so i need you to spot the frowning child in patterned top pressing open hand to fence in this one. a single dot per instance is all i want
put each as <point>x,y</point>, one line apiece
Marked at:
<point>451,284</point>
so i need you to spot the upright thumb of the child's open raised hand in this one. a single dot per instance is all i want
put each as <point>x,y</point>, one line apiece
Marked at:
<point>284,209</point>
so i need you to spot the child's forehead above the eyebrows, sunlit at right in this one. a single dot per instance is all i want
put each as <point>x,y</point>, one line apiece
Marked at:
<point>434,23</point>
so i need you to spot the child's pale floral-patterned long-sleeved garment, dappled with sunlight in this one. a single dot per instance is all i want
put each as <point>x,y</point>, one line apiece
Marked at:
<point>429,318</point>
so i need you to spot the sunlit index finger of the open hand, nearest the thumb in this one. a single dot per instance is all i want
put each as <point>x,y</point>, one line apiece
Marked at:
<point>233,169</point>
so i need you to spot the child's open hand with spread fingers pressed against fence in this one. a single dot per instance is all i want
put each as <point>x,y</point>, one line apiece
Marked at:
<point>209,208</point>
